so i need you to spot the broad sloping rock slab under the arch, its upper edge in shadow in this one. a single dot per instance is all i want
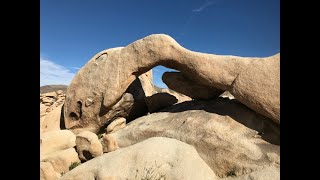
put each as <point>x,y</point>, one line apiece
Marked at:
<point>228,136</point>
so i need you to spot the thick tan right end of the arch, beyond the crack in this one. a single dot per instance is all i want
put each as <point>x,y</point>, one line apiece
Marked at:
<point>258,87</point>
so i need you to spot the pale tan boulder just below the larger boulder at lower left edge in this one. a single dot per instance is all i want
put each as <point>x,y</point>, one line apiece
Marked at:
<point>62,160</point>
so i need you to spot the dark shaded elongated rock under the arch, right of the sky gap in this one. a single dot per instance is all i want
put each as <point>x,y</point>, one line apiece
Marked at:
<point>181,84</point>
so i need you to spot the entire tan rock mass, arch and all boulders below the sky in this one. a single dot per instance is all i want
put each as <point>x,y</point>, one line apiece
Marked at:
<point>219,118</point>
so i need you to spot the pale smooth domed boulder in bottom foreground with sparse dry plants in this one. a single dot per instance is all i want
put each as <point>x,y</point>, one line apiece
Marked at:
<point>154,158</point>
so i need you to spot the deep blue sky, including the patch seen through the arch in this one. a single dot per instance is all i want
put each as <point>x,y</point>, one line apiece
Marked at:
<point>72,31</point>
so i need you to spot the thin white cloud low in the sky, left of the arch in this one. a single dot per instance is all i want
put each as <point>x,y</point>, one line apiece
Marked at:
<point>54,74</point>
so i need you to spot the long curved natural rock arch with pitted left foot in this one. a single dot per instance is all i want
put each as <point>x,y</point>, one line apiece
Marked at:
<point>106,77</point>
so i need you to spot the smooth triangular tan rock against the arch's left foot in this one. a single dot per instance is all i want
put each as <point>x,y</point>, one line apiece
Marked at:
<point>52,120</point>
